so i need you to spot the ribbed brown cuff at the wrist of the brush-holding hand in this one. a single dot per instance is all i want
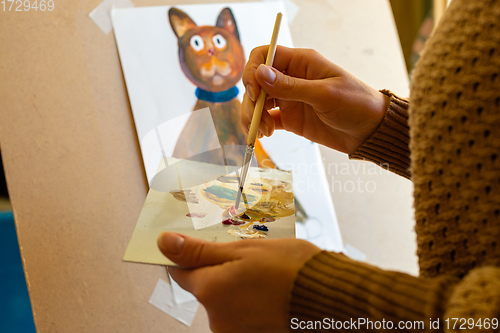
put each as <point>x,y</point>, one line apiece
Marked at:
<point>389,143</point>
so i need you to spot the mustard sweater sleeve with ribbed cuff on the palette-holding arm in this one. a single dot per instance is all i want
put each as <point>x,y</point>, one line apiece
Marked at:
<point>360,296</point>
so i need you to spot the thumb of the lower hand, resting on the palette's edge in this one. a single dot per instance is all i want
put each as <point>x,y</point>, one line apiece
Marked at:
<point>191,252</point>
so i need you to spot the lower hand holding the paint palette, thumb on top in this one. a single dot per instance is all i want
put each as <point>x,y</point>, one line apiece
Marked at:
<point>244,285</point>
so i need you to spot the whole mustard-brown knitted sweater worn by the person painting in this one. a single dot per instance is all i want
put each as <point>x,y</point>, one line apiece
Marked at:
<point>447,141</point>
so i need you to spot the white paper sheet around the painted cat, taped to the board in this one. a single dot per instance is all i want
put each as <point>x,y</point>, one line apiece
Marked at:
<point>161,96</point>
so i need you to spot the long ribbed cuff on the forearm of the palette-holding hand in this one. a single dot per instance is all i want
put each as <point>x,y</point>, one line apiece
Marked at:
<point>332,286</point>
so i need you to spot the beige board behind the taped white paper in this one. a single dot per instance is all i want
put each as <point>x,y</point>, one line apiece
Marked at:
<point>75,174</point>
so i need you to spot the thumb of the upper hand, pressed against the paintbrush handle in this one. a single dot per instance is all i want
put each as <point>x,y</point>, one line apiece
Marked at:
<point>279,85</point>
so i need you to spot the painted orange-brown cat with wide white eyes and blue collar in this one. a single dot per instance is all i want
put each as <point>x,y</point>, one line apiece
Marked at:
<point>212,58</point>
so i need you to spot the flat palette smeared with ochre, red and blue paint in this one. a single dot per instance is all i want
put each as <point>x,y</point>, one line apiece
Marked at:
<point>196,199</point>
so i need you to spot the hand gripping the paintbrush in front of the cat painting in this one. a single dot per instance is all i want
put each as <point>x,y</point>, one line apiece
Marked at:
<point>316,98</point>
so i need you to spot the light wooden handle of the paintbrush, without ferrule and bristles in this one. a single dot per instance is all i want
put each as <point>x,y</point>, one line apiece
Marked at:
<point>259,106</point>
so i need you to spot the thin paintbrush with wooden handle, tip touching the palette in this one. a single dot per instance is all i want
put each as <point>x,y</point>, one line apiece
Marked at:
<point>257,113</point>
